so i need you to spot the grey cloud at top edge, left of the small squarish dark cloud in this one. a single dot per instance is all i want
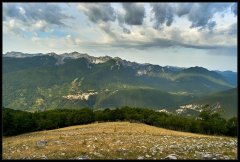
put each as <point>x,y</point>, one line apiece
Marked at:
<point>100,11</point>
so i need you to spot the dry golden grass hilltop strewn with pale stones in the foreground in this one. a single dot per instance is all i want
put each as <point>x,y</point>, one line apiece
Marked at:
<point>117,140</point>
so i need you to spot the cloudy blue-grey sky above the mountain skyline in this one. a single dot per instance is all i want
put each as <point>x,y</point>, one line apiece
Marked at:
<point>166,34</point>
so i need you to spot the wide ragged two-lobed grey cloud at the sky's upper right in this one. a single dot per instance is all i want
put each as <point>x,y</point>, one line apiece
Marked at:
<point>199,14</point>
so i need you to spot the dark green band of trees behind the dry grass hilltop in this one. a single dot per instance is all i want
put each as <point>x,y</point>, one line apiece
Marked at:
<point>16,122</point>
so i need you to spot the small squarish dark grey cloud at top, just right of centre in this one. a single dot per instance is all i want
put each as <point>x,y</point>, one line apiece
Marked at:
<point>134,13</point>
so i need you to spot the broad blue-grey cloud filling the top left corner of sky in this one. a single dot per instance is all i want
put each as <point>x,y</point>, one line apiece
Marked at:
<point>31,12</point>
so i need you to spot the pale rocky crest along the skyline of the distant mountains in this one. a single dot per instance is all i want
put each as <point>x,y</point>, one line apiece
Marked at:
<point>119,61</point>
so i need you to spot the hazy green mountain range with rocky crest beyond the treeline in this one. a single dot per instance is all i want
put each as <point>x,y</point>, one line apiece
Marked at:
<point>35,82</point>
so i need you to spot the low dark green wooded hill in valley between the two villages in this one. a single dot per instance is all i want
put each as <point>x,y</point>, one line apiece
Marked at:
<point>141,97</point>
